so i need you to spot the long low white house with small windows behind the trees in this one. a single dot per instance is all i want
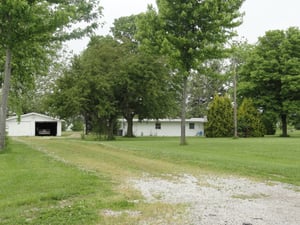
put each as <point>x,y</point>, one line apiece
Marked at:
<point>165,127</point>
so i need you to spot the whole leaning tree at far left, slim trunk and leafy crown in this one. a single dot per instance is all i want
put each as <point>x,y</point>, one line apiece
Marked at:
<point>40,22</point>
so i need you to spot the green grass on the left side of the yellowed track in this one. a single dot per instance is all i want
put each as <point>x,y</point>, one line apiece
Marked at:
<point>38,189</point>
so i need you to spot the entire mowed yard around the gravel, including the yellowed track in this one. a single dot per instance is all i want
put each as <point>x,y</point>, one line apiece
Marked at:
<point>71,181</point>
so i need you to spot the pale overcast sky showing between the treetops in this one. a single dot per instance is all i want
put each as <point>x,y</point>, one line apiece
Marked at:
<point>260,16</point>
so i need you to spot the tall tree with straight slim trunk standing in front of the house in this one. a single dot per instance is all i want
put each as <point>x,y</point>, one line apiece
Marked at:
<point>189,32</point>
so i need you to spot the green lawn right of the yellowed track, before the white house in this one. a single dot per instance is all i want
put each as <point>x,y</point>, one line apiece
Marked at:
<point>269,158</point>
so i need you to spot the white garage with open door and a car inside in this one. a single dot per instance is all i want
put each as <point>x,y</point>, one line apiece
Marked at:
<point>33,124</point>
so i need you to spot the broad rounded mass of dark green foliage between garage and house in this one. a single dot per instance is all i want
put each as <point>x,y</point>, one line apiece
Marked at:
<point>109,80</point>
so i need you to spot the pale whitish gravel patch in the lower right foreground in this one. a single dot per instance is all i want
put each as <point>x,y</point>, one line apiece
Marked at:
<point>215,200</point>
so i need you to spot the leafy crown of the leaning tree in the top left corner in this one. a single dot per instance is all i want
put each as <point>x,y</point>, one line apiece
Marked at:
<point>26,22</point>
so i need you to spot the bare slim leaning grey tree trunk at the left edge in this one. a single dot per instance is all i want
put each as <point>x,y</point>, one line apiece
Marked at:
<point>5,92</point>
